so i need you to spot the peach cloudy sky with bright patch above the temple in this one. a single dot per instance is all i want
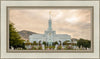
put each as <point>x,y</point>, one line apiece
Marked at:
<point>74,22</point>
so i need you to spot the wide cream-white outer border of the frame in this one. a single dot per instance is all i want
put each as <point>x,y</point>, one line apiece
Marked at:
<point>50,3</point>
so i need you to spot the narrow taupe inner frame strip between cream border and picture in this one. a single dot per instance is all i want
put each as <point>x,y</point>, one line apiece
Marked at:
<point>50,51</point>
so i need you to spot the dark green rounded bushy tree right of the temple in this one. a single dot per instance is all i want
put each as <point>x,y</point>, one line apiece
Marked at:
<point>84,43</point>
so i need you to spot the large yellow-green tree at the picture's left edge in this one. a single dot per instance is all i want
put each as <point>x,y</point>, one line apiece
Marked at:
<point>14,38</point>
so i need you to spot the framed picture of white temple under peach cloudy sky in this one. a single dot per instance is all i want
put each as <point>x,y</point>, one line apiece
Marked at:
<point>50,28</point>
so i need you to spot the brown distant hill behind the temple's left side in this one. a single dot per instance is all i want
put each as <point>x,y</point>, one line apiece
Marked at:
<point>25,34</point>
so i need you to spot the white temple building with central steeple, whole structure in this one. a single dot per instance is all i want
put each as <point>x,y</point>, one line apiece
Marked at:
<point>49,36</point>
